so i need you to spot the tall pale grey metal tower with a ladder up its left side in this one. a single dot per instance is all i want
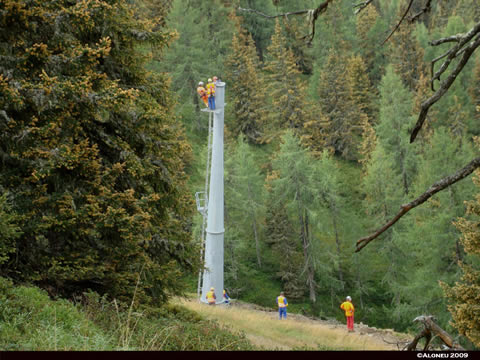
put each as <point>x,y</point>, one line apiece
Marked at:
<point>213,203</point>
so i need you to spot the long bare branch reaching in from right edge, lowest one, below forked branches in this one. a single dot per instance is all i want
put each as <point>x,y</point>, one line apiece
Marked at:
<point>438,186</point>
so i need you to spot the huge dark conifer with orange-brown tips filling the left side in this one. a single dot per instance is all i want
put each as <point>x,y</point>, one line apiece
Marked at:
<point>92,155</point>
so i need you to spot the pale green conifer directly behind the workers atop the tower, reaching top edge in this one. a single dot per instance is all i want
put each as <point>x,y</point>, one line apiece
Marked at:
<point>199,53</point>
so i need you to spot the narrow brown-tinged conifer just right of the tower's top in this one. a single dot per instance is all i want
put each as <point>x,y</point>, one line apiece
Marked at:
<point>247,87</point>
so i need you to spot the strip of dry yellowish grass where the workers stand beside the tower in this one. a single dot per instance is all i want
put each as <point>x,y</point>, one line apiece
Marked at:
<point>262,327</point>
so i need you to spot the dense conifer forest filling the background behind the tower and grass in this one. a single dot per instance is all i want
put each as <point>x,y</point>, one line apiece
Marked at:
<point>103,147</point>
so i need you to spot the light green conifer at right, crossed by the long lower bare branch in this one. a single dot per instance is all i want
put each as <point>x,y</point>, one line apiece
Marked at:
<point>426,265</point>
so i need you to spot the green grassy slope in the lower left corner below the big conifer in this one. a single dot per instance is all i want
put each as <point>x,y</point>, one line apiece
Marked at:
<point>31,321</point>
